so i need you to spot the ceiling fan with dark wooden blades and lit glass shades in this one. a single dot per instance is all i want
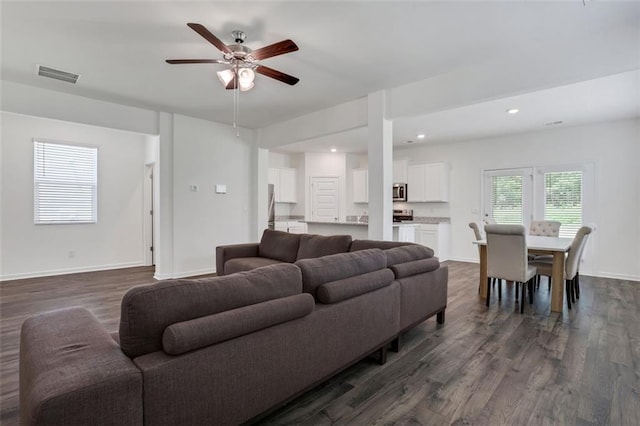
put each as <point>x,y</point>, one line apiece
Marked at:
<point>243,61</point>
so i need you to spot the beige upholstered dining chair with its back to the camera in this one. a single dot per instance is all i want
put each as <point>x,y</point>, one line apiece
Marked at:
<point>507,259</point>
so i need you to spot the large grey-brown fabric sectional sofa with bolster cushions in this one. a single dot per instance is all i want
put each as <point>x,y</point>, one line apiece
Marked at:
<point>227,349</point>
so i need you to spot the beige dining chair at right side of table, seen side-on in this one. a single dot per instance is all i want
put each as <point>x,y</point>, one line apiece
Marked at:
<point>571,265</point>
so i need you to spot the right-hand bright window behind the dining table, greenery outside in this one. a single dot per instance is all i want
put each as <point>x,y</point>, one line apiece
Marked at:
<point>563,200</point>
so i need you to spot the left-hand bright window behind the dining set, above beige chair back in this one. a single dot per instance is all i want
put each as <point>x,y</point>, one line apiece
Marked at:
<point>506,199</point>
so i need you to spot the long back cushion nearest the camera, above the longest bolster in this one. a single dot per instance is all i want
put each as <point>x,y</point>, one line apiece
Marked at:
<point>147,310</point>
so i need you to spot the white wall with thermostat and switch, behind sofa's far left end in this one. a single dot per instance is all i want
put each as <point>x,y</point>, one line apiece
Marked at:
<point>205,154</point>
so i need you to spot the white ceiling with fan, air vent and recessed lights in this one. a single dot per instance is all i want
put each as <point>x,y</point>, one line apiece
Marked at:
<point>347,50</point>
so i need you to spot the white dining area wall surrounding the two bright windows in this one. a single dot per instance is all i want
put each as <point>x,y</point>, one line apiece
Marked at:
<point>614,149</point>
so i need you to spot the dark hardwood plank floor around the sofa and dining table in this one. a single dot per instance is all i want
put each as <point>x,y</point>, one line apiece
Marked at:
<point>484,366</point>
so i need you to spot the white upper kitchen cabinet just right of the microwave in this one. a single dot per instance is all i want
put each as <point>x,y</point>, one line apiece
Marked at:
<point>428,182</point>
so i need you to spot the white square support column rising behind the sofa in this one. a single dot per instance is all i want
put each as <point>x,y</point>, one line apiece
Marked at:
<point>380,133</point>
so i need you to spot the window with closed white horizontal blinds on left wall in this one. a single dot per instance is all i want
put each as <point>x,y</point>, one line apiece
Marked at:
<point>65,183</point>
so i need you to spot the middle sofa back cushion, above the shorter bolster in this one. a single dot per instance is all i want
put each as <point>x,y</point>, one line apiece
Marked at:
<point>318,271</point>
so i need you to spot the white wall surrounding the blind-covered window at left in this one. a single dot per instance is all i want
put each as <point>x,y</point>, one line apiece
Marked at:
<point>117,240</point>
